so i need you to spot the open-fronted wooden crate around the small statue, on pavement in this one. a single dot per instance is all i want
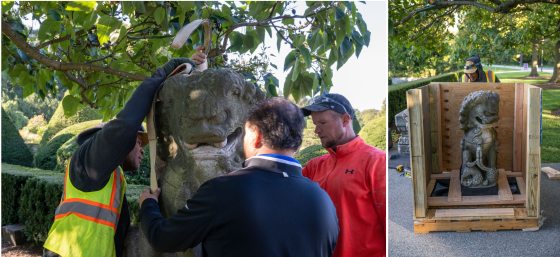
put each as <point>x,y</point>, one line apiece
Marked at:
<point>435,154</point>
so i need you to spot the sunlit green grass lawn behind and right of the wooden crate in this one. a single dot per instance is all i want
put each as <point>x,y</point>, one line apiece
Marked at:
<point>550,146</point>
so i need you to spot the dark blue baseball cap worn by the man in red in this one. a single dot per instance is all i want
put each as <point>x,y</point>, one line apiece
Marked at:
<point>334,102</point>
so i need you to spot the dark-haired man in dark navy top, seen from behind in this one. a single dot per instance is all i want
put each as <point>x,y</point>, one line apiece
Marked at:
<point>266,208</point>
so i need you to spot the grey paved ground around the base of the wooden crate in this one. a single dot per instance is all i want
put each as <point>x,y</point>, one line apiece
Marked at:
<point>403,242</point>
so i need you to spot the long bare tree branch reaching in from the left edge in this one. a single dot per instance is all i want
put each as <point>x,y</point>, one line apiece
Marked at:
<point>57,65</point>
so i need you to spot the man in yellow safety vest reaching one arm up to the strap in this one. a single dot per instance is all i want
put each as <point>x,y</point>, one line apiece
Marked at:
<point>93,216</point>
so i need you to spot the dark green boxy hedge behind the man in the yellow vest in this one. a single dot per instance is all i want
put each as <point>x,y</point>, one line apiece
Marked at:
<point>30,197</point>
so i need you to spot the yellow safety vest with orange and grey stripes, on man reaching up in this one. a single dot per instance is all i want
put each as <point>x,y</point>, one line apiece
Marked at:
<point>85,222</point>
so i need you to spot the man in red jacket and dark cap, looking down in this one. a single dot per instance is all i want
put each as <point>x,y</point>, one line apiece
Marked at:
<point>353,174</point>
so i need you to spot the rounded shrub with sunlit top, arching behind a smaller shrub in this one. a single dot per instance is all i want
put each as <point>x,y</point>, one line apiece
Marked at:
<point>47,154</point>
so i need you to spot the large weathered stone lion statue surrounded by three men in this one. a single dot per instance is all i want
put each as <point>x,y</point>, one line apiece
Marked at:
<point>200,120</point>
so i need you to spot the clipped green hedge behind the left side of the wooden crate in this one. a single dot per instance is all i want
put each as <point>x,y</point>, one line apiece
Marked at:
<point>397,93</point>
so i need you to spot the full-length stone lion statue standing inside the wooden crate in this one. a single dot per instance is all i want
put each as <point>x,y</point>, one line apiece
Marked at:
<point>478,115</point>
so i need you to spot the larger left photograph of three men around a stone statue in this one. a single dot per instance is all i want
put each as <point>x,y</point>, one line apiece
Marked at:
<point>194,128</point>
